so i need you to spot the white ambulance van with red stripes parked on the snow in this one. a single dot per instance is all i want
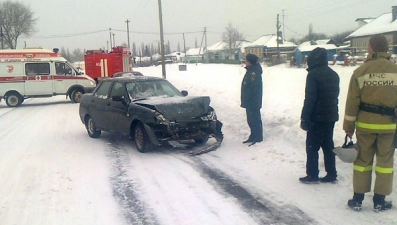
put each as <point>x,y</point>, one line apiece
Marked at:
<point>37,72</point>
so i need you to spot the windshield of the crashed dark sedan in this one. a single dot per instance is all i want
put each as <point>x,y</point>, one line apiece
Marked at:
<point>151,88</point>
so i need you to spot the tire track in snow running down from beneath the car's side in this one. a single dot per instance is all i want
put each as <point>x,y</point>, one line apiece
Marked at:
<point>124,189</point>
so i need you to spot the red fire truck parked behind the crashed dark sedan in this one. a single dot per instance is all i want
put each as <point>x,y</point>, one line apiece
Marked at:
<point>100,64</point>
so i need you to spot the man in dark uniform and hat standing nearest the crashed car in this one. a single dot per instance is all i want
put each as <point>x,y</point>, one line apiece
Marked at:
<point>251,98</point>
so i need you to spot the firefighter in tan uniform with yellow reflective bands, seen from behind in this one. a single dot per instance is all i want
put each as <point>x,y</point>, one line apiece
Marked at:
<point>370,104</point>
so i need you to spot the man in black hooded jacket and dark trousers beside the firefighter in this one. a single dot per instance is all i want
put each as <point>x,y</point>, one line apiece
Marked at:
<point>319,114</point>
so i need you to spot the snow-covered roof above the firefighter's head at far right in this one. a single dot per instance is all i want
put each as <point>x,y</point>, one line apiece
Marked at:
<point>382,24</point>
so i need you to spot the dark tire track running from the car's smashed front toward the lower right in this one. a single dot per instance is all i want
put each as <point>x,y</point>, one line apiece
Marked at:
<point>263,210</point>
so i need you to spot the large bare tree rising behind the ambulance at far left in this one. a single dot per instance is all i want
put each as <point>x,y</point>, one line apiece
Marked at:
<point>16,19</point>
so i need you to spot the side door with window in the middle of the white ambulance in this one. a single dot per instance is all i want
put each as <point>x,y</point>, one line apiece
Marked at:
<point>38,79</point>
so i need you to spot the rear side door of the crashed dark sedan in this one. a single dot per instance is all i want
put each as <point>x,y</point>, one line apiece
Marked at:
<point>98,105</point>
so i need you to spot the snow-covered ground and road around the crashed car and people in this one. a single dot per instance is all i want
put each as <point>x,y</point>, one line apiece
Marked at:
<point>51,172</point>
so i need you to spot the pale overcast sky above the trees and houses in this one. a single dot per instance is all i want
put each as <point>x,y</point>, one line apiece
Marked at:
<point>85,23</point>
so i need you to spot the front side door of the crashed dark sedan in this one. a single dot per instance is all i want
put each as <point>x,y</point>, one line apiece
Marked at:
<point>119,121</point>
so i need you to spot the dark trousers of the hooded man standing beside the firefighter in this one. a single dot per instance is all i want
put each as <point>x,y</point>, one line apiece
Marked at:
<point>320,135</point>
